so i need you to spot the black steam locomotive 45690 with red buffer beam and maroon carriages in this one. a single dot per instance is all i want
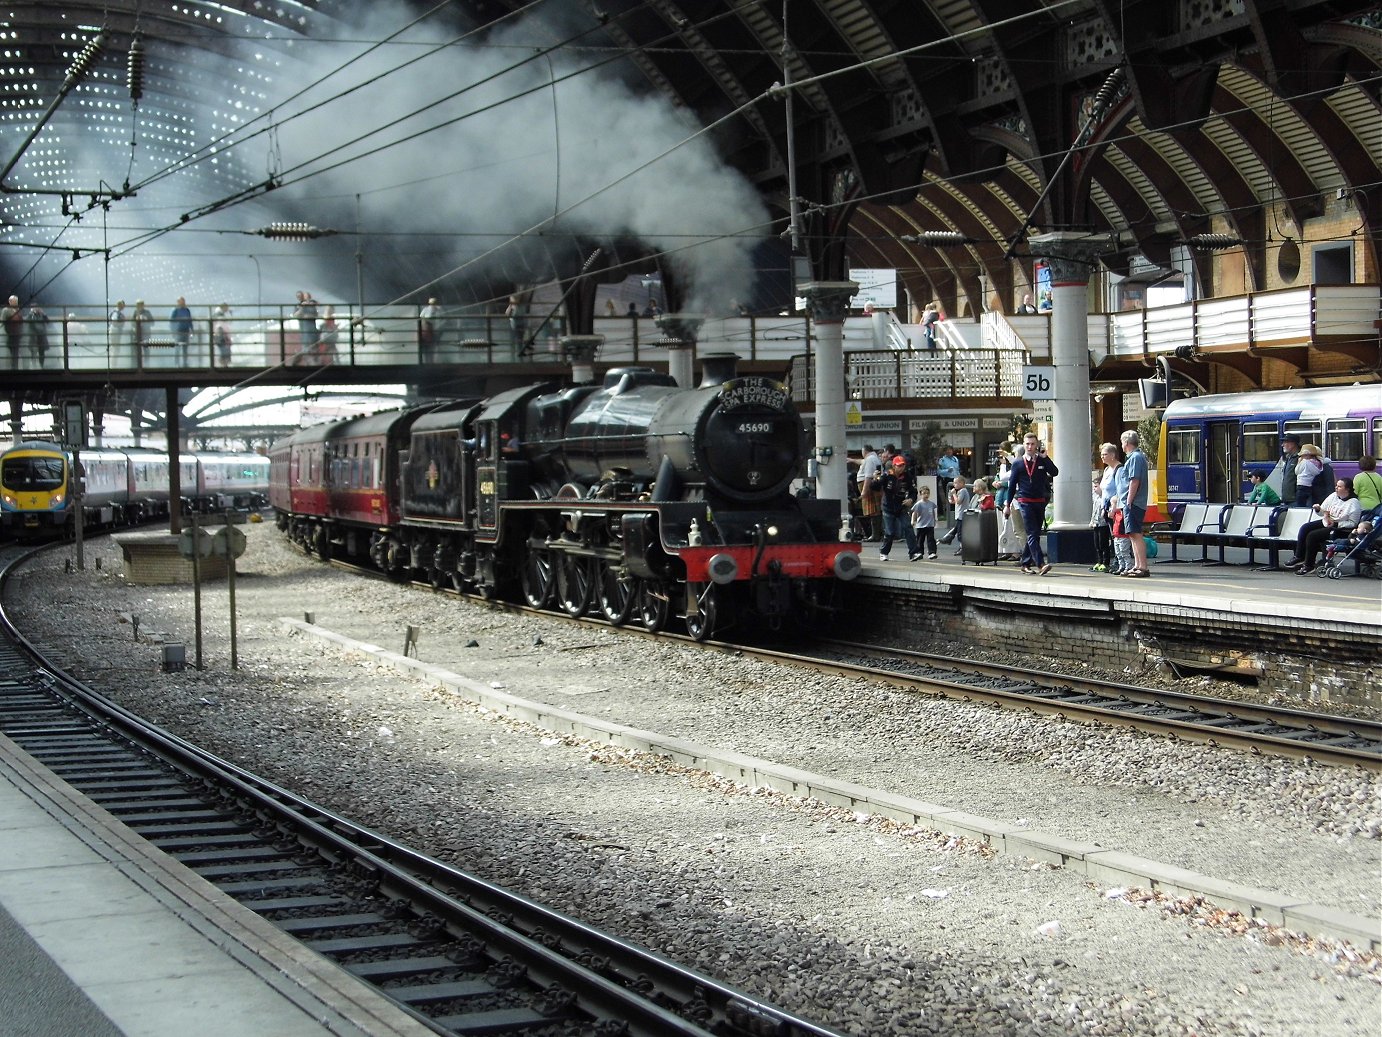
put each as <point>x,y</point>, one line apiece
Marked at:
<point>634,498</point>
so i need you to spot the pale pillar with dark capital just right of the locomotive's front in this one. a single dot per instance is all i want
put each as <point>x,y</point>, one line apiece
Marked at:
<point>827,303</point>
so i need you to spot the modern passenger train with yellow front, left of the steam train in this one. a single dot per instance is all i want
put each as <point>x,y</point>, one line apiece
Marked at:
<point>124,487</point>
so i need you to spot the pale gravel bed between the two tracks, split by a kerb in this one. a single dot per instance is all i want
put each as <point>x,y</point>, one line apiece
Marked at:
<point>856,923</point>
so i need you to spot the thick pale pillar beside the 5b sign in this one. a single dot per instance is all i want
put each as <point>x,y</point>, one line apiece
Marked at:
<point>1072,258</point>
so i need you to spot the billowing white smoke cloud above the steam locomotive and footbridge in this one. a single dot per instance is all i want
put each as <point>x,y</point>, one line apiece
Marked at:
<point>511,157</point>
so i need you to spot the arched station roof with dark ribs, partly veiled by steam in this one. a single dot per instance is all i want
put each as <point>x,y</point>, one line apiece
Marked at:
<point>931,136</point>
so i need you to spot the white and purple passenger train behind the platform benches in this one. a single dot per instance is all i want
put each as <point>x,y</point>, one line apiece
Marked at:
<point>1210,443</point>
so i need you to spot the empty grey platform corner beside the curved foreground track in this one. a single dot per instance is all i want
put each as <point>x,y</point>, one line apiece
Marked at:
<point>103,935</point>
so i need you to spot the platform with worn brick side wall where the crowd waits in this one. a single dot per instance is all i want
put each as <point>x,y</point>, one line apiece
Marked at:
<point>1308,639</point>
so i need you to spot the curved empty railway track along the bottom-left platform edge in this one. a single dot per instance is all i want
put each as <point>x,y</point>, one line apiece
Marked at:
<point>458,953</point>
